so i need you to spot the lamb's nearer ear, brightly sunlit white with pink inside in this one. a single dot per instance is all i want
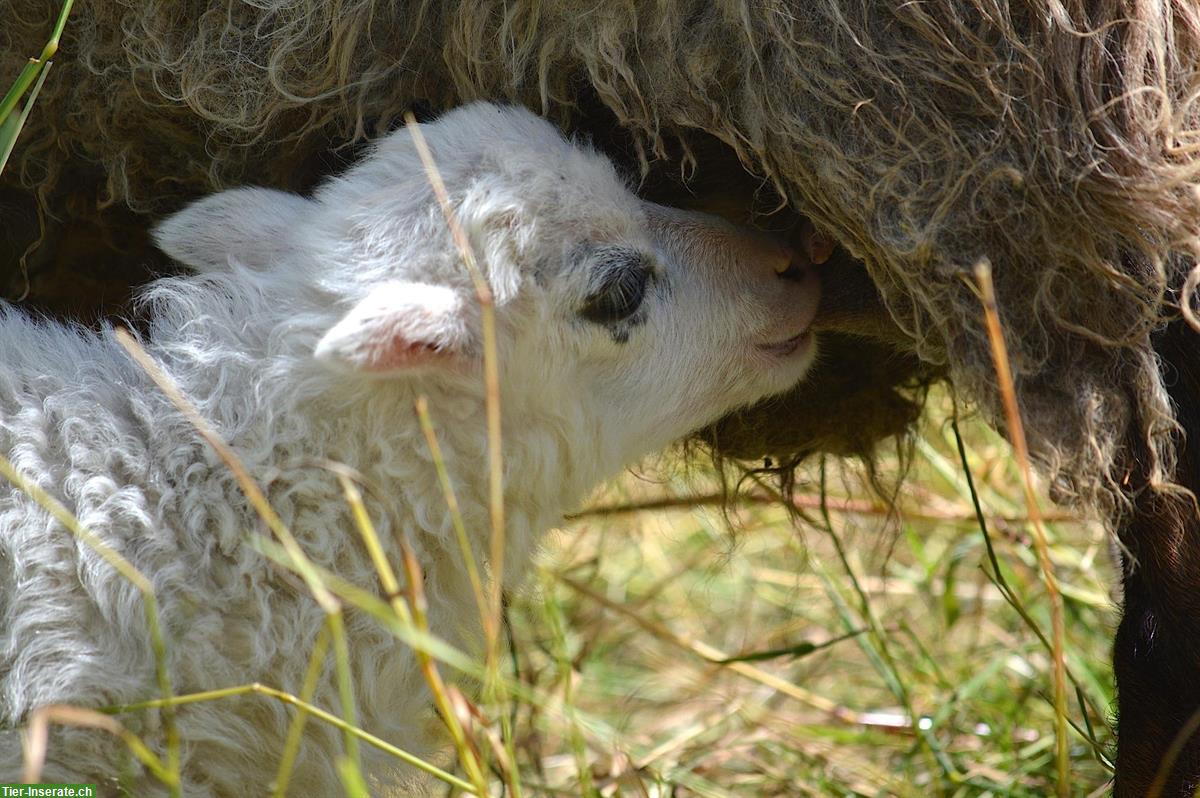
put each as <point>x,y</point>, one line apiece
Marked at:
<point>400,327</point>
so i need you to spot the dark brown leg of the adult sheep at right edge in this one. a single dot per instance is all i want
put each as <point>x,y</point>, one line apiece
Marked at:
<point>1157,649</point>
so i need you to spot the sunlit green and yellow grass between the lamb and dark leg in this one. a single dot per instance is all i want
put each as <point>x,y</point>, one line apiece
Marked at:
<point>941,643</point>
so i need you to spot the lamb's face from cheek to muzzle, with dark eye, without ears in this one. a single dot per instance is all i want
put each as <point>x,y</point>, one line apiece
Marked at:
<point>658,322</point>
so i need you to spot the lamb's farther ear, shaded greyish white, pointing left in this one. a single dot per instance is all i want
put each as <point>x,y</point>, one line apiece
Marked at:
<point>251,226</point>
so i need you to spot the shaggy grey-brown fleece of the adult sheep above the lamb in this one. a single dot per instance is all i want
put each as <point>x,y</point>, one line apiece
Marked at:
<point>1057,139</point>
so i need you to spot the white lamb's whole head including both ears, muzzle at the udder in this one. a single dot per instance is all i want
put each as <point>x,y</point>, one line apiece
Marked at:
<point>628,322</point>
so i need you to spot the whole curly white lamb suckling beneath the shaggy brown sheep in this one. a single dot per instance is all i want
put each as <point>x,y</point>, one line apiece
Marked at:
<point>307,334</point>
